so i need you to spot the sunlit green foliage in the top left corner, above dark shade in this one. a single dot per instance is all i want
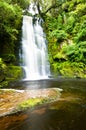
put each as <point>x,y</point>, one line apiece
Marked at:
<point>10,19</point>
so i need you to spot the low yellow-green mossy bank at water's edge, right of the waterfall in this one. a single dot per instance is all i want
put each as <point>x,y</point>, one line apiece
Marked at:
<point>70,69</point>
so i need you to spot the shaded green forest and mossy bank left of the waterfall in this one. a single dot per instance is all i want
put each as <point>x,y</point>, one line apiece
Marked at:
<point>10,36</point>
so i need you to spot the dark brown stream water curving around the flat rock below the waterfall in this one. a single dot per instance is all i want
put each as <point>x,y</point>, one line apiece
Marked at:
<point>68,113</point>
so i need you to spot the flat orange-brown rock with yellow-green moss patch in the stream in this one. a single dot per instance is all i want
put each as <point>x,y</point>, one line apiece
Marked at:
<point>12,100</point>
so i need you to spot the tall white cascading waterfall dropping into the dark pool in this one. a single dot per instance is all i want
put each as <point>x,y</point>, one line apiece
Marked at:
<point>34,50</point>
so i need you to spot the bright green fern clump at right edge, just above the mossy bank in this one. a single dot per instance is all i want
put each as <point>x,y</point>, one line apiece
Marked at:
<point>76,52</point>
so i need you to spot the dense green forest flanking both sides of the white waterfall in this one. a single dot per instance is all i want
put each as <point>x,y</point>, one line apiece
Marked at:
<point>65,28</point>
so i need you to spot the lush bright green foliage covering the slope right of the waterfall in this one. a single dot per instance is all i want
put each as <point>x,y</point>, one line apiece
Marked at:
<point>66,34</point>
